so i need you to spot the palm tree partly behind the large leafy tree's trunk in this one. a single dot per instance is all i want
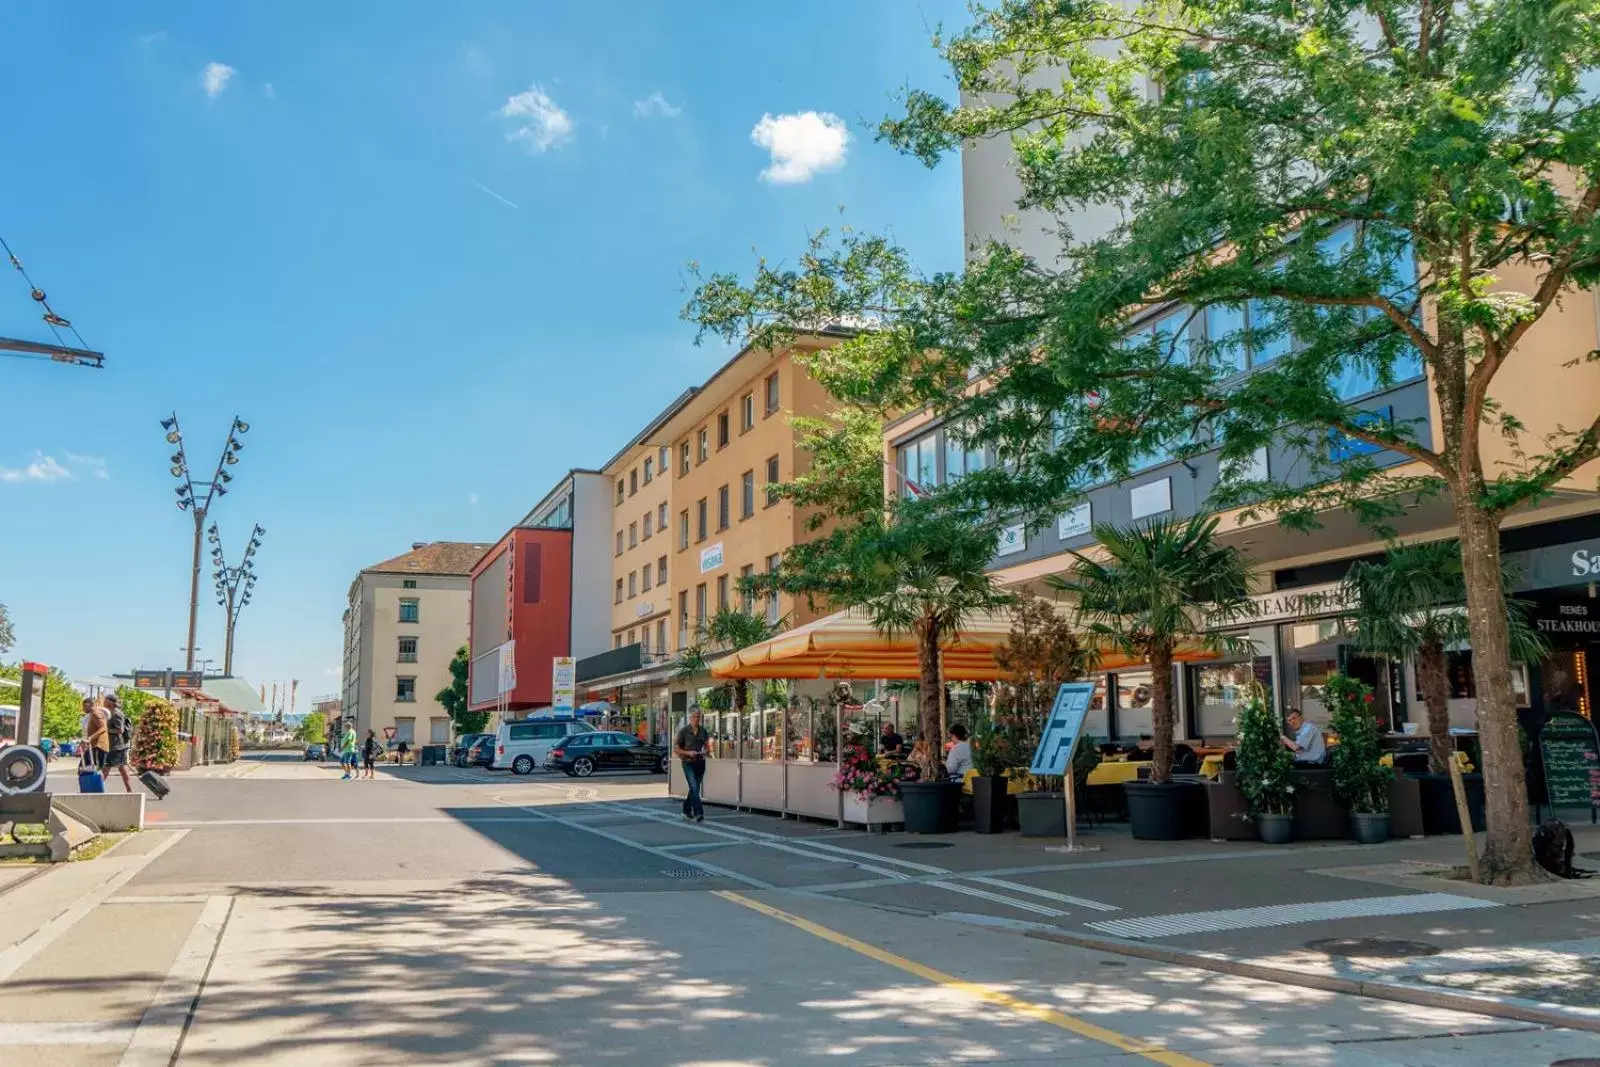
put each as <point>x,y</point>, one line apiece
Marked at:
<point>1410,604</point>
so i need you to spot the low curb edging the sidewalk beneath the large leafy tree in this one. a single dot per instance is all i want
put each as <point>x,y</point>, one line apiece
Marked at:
<point>1375,989</point>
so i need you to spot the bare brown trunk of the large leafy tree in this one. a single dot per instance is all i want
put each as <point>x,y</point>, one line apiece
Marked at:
<point>1508,845</point>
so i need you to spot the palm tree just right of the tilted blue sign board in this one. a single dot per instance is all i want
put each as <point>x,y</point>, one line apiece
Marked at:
<point>1161,586</point>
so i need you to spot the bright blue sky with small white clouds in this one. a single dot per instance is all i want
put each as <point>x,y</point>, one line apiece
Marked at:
<point>433,254</point>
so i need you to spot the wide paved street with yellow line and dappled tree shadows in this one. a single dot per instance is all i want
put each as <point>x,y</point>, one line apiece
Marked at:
<point>276,914</point>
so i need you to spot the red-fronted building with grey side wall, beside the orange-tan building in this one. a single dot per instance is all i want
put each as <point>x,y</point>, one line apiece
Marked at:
<point>543,586</point>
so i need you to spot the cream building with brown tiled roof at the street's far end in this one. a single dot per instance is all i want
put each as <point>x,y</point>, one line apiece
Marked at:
<point>406,620</point>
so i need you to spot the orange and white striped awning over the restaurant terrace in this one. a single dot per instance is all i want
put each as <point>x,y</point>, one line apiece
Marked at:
<point>849,645</point>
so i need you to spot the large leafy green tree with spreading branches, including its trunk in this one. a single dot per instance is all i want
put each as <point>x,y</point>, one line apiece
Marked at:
<point>1345,193</point>
